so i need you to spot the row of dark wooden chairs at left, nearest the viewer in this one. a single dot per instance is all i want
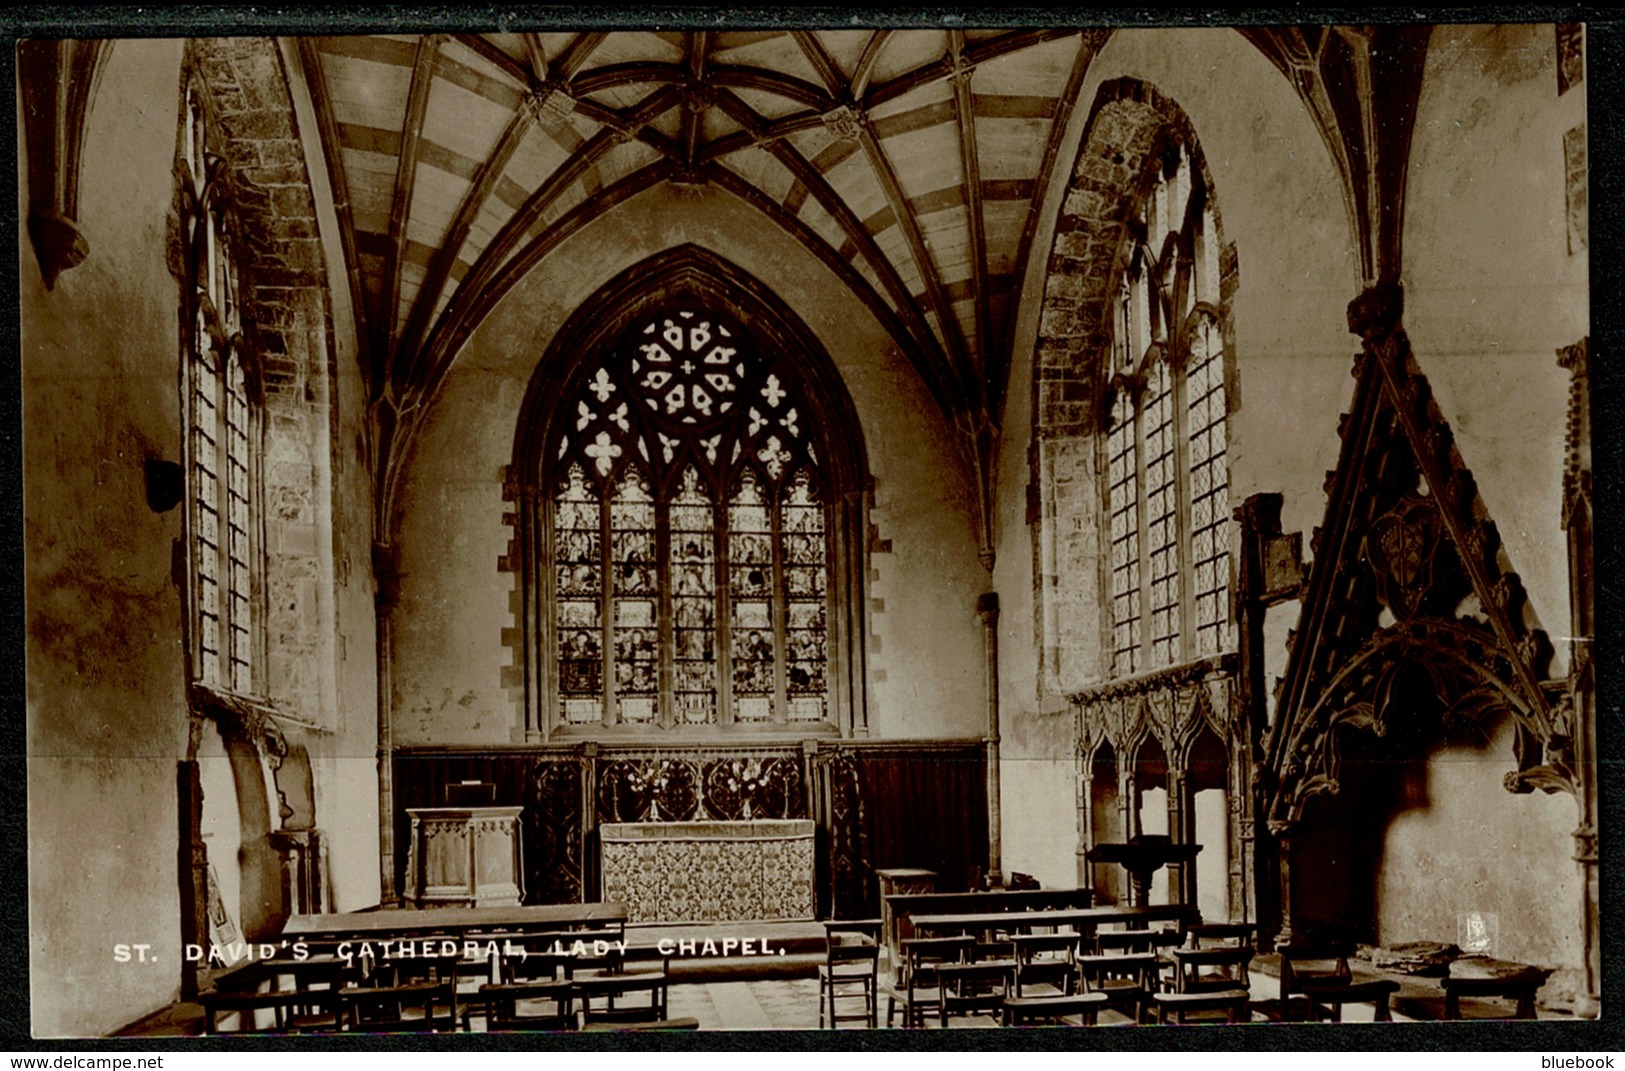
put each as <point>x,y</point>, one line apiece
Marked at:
<point>534,982</point>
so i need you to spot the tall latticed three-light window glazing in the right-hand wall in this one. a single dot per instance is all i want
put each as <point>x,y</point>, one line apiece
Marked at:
<point>1168,492</point>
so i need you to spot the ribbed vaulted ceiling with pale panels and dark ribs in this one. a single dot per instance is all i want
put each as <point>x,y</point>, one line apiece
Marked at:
<point>909,162</point>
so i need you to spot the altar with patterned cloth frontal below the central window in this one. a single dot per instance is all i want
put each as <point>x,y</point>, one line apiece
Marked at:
<point>709,870</point>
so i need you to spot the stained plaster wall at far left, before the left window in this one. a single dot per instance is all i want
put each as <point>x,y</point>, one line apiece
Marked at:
<point>106,709</point>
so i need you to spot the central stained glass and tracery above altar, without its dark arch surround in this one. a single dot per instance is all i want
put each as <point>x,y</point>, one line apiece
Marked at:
<point>688,537</point>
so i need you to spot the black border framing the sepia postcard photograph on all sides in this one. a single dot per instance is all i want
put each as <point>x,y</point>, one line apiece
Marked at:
<point>1605,84</point>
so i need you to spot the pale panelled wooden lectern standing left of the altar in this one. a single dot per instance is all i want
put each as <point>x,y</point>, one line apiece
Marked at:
<point>467,857</point>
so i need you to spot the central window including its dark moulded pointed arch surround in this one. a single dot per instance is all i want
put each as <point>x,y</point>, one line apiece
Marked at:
<point>730,596</point>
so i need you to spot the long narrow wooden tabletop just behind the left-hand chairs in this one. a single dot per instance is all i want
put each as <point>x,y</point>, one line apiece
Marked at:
<point>454,921</point>
